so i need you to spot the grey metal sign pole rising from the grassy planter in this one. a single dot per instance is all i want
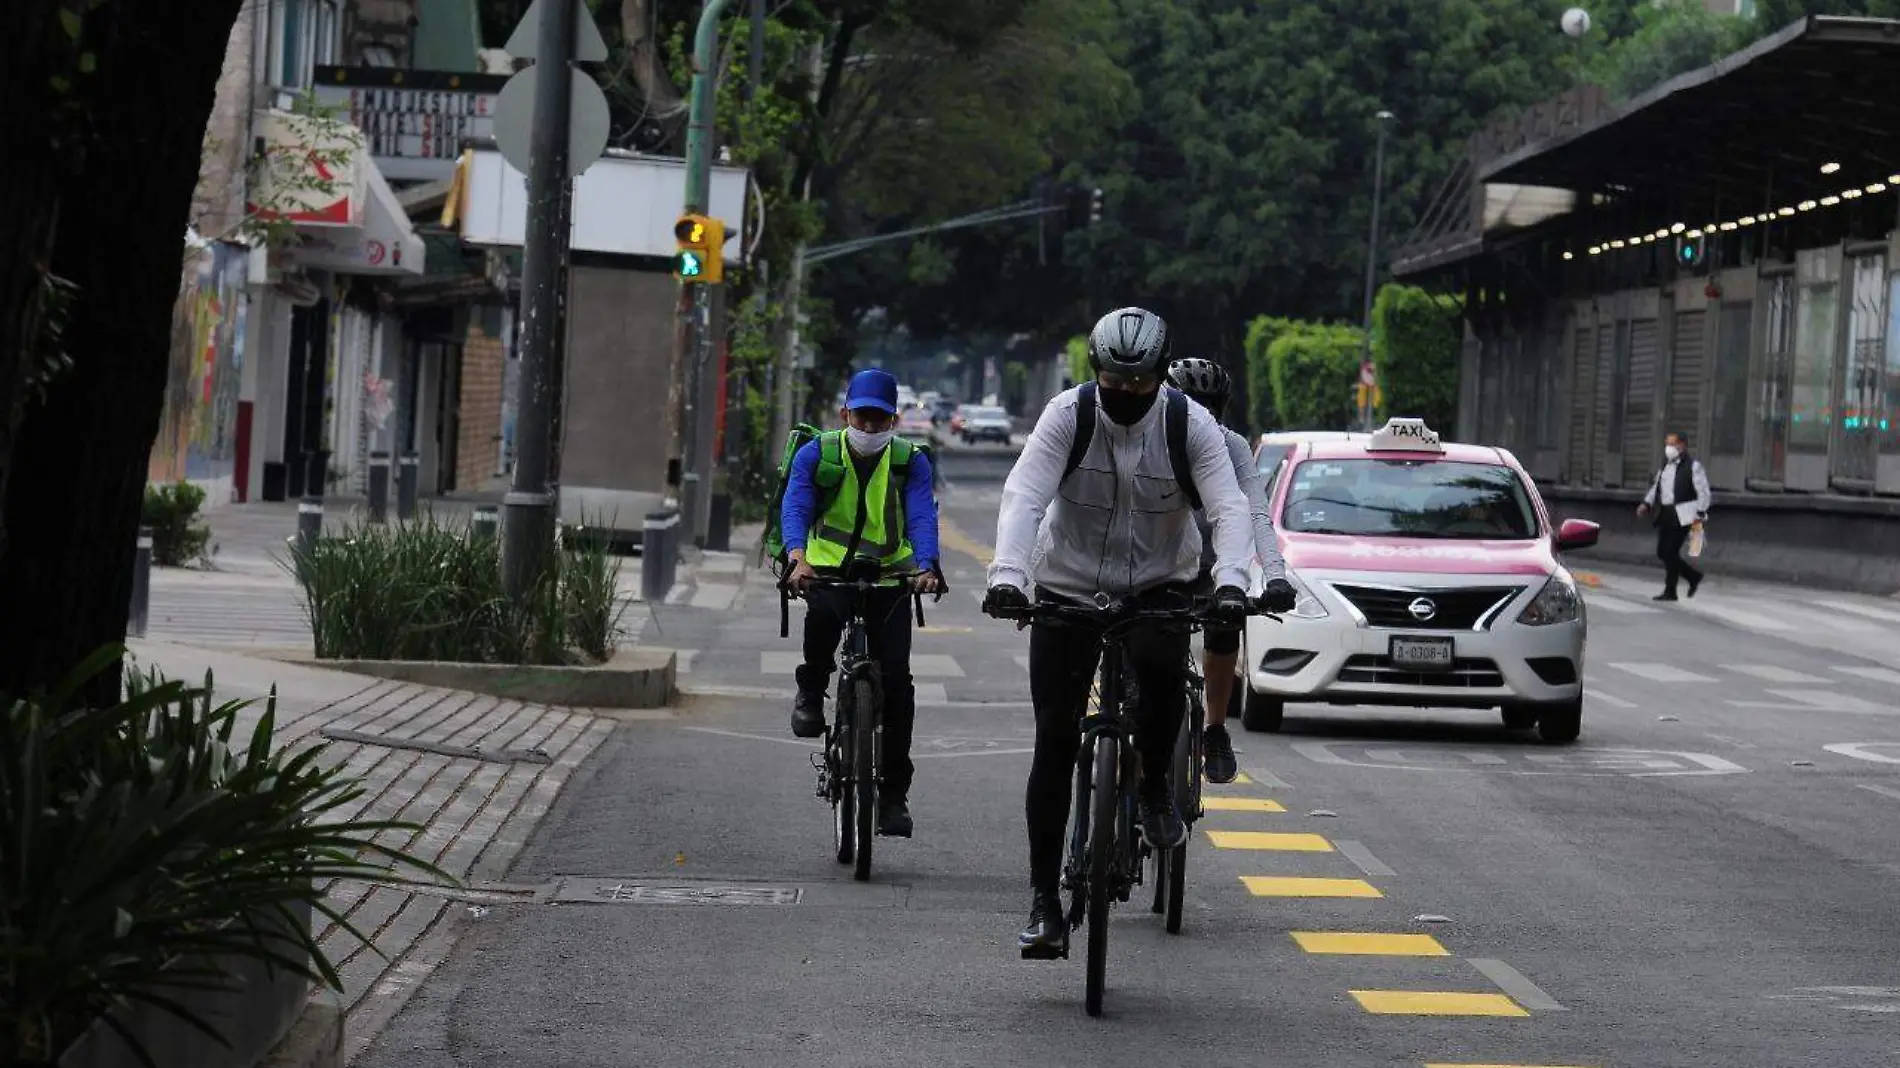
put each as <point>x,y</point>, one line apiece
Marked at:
<point>529,505</point>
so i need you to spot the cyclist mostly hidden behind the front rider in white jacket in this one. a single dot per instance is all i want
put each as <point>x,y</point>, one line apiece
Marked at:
<point>1221,647</point>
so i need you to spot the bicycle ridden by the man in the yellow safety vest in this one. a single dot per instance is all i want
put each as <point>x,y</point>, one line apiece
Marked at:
<point>850,759</point>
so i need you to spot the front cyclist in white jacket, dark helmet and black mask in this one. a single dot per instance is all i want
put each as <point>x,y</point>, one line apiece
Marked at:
<point>1120,524</point>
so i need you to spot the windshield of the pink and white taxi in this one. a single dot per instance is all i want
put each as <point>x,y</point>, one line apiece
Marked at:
<point>1409,499</point>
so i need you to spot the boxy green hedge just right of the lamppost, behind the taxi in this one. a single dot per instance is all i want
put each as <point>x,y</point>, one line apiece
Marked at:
<point>1416,341</point>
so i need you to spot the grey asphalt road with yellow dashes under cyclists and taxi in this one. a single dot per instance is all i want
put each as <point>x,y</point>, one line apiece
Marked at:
<point>1703,881</point>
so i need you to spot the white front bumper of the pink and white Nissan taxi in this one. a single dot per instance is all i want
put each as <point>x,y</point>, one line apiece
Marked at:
<point>1346,660</point>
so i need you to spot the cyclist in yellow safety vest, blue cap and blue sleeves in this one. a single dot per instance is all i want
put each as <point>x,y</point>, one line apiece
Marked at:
<point>881,508</point>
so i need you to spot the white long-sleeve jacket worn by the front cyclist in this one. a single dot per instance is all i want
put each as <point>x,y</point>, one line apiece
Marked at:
<point>1120,524</point>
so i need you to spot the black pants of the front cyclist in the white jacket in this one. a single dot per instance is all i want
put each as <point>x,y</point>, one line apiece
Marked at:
<point>1063,662</point>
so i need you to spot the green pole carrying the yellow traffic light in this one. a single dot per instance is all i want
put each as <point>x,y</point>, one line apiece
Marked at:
<point>698,335</point>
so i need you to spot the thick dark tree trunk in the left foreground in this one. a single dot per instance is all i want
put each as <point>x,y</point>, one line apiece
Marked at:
<point>81,457</point>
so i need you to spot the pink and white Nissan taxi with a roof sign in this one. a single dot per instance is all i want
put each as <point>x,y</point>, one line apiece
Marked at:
<point>1428,577</point>
